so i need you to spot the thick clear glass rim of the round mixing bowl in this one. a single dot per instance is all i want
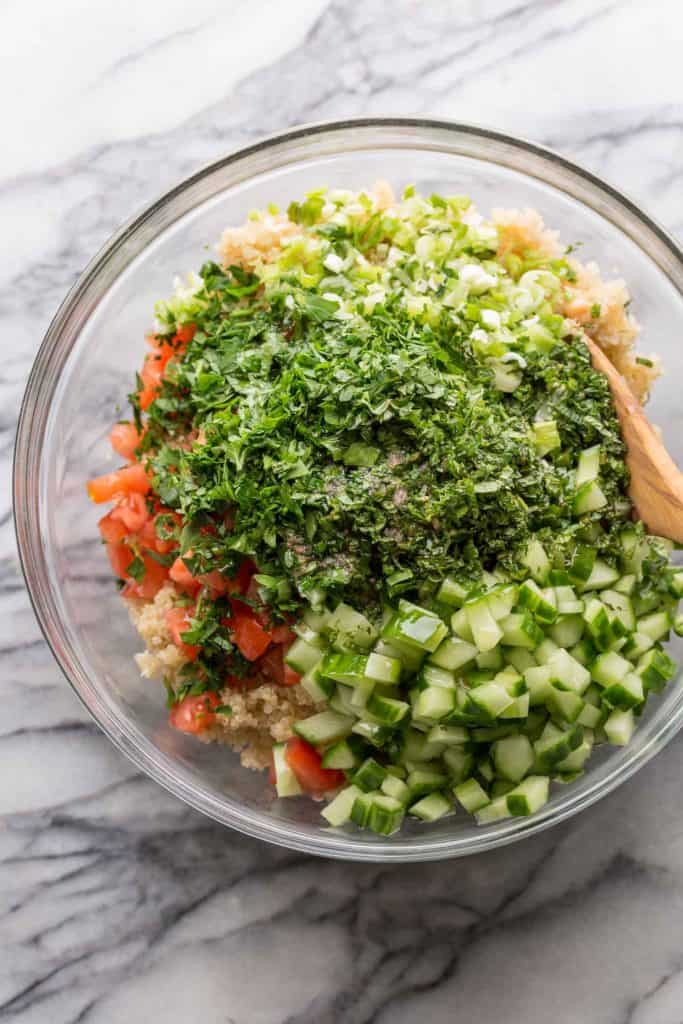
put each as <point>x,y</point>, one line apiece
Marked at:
<point>545,165</point>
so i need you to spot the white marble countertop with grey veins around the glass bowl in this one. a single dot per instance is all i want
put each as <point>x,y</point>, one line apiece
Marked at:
<point>118,903</point>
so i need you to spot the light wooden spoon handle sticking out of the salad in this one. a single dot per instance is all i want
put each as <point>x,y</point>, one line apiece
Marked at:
<point>657,484</point>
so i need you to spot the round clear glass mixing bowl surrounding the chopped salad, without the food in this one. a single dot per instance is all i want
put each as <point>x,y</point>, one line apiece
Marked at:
<point>84,371</point>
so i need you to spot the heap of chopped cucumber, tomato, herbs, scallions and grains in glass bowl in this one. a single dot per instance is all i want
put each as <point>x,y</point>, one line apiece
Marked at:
<point>373,522</point>
